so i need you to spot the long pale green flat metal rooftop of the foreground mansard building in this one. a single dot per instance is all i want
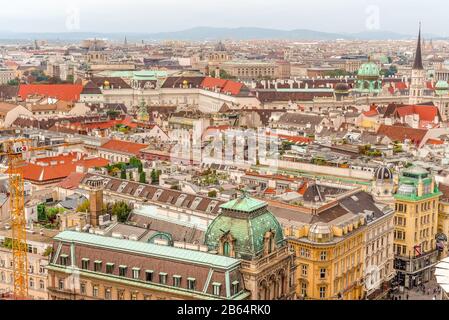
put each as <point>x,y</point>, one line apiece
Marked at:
<point>149,249</point>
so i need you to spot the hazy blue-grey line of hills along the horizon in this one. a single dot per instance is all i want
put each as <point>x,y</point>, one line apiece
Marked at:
<point>213,34</point>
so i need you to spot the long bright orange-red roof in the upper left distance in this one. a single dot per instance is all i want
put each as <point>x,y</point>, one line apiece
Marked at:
<point>65,92</point>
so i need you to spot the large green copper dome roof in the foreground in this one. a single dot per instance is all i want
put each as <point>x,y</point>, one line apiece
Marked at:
<point>247,221</point>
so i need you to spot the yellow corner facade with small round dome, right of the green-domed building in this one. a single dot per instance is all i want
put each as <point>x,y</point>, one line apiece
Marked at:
<point>329,261</point>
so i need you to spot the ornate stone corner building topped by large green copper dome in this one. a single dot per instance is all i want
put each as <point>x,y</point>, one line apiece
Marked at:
<point>247,230</point>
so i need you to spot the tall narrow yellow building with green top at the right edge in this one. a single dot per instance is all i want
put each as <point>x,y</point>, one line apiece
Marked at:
<point>416,223</point>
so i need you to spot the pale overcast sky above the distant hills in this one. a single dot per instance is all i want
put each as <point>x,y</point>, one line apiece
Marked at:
<point>173,15</point>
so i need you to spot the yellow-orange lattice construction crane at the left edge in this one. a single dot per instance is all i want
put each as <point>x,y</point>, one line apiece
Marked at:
<point>14,149</point>
